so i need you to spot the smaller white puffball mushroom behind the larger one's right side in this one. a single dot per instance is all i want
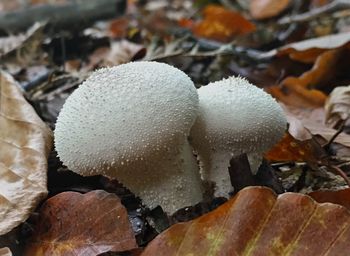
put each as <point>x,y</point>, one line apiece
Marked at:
<point>235,117</point>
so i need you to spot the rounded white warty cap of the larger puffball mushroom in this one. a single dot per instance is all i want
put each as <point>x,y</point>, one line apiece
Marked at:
<point>124,114</point>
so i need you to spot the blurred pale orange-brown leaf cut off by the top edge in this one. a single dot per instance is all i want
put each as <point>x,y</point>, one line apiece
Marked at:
<point>262,9</point>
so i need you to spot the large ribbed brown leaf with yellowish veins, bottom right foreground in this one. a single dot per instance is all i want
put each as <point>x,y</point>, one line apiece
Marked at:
<point>257,222</point>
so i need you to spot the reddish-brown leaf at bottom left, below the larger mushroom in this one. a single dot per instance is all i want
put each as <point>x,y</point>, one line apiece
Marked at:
<point>71,223</point>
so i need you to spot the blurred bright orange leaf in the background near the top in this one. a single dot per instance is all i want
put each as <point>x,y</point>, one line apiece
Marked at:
<point>221,24</point>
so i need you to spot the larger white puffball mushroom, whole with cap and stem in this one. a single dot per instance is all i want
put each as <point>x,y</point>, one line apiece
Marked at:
<point>131,122</point>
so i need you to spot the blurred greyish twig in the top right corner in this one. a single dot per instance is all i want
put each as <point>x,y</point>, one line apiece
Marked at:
<point>307,16</point>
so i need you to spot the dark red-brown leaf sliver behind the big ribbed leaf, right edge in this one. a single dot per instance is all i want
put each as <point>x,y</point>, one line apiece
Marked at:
<point>341,197</point>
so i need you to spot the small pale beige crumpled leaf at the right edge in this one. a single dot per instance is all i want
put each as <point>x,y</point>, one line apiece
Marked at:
<point>337,106</point>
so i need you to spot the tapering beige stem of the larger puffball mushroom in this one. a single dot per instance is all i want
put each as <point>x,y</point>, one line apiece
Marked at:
<point>172,179</point>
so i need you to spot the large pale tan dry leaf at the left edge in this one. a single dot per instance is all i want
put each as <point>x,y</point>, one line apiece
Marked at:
<point>25,142</point>
